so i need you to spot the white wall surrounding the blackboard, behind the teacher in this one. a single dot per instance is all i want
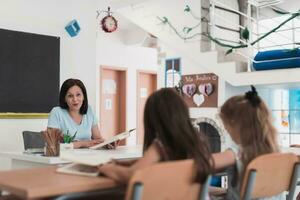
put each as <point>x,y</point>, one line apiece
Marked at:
<point>77,55</point>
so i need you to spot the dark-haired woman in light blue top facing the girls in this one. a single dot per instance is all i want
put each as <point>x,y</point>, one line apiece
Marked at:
<point>74,115</point>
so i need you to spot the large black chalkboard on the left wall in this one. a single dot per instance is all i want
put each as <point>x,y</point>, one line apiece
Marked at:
<point>29,72</point>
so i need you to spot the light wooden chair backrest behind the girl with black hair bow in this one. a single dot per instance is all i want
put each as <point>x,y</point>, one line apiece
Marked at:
<point>270,175</point>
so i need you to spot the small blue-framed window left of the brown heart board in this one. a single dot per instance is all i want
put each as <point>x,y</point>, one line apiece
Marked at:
<point>172,72</point>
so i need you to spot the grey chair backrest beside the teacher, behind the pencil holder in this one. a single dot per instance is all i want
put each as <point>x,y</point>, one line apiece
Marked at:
<point>33,140</point>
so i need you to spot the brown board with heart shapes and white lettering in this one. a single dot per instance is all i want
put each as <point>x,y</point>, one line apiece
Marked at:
<point>200,90</point>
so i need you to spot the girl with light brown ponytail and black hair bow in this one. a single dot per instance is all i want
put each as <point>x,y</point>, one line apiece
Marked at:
<point>249,123</point>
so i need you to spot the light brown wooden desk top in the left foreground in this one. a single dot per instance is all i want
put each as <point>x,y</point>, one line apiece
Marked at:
<point>45,182</point>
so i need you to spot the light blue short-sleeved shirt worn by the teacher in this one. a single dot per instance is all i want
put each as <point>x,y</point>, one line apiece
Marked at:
<point>60,118</point>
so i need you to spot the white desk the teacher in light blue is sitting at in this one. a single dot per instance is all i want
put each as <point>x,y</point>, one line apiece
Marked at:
<point>19,160</point>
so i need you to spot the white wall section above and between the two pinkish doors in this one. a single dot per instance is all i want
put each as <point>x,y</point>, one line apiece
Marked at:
<point>111,51</point>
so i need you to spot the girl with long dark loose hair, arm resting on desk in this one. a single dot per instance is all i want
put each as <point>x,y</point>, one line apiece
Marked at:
<point>169,135</point>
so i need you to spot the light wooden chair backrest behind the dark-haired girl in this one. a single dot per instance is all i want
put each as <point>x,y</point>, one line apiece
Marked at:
<point>167,180</point>
